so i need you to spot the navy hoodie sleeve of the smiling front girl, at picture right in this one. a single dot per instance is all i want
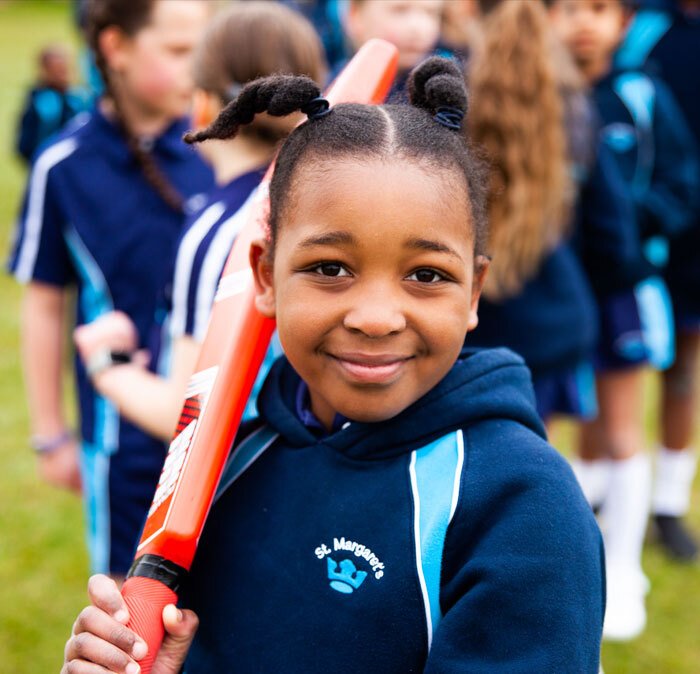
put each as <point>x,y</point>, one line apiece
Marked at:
<point>522,586</point>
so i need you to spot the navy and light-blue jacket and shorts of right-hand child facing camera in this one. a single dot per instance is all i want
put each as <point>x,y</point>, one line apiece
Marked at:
<point>653,150</point>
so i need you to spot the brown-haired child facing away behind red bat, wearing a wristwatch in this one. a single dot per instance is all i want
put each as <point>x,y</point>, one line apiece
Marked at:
<point>228,57</point>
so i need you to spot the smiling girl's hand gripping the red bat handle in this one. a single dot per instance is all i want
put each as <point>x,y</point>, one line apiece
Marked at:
<point>102,643</point>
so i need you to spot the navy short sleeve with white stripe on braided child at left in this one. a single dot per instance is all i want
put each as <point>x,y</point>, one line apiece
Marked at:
<point>39,252</point>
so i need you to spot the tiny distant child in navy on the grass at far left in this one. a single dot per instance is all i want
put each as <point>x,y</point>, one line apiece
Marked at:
<point>50,104</point>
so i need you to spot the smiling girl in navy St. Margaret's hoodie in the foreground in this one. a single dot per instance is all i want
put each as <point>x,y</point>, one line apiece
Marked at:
<point>404,512</point>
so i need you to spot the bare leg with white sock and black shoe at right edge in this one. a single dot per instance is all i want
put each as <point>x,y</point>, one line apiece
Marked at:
<point>676,460</point>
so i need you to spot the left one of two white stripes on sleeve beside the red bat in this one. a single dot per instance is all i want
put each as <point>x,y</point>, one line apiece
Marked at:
<point>183,266</point>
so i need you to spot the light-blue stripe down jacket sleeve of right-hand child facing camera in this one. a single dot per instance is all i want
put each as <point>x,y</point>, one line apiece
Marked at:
<point>638,94</point>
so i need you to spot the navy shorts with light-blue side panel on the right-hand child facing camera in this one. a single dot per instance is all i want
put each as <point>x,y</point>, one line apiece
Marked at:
<point>636,328</point>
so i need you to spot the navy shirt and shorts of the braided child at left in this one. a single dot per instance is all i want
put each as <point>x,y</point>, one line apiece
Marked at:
<point>90,220</point>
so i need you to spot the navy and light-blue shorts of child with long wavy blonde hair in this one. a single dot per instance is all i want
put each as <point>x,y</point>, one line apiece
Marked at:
<point>569,392</point>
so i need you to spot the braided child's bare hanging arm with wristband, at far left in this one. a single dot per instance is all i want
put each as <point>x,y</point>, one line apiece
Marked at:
<point>43,329</point>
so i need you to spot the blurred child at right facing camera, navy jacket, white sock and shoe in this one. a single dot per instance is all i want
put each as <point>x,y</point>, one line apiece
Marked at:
<point>648,137</point>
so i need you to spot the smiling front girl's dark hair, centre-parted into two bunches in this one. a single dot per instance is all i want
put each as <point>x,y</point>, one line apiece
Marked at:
<point>354,131</point>
